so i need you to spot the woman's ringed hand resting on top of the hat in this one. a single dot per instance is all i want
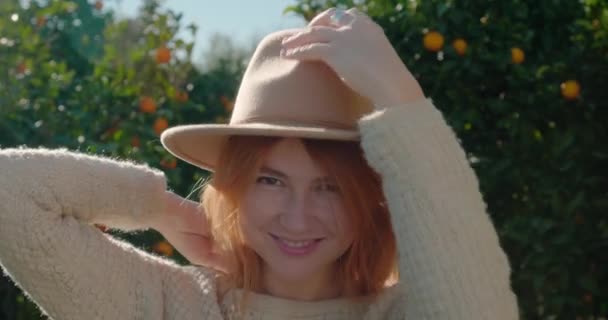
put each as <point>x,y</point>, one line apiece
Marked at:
<point>360,53</point>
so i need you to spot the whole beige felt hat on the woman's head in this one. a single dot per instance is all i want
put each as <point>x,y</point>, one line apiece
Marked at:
<point>277,97</point>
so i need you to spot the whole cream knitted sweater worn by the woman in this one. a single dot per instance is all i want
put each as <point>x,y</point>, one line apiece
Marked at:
<point>450,259</point>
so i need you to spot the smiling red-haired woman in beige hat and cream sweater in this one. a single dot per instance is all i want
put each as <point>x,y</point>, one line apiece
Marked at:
<point>338,192</point>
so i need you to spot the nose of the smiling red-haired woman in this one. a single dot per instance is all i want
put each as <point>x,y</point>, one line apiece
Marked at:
<point>295,214</point>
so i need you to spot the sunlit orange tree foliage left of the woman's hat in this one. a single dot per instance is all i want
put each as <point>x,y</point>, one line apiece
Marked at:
<point>72,75</point>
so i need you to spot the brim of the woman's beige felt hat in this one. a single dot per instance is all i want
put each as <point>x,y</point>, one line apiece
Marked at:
<point>201,144</point>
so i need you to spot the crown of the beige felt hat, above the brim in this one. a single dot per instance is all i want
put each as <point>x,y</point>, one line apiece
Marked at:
<point>282,91</point>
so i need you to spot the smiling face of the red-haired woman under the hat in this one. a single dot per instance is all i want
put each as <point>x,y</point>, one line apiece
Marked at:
<point>293,215</point>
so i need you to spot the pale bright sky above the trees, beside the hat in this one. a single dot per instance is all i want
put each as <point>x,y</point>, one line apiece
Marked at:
<point>243,20</point>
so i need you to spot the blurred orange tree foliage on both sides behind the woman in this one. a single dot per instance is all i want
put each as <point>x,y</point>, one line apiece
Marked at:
<point>522,82</point>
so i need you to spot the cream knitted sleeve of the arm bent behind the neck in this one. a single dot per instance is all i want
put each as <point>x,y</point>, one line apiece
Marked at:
<point>49,200</point>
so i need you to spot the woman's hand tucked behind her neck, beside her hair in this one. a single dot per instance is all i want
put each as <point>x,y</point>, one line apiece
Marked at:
<point>185,226</point>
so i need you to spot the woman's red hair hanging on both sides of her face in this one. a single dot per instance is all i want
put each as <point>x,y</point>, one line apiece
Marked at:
<point>370,262</point>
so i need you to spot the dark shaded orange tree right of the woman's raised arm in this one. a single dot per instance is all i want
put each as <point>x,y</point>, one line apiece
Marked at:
<point>523,83</point>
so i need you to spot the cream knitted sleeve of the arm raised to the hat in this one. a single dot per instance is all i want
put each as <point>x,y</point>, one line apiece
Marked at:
<point>451,263</point>
